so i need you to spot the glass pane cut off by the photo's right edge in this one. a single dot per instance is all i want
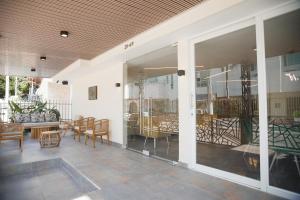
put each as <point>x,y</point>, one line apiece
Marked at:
<point>282,36</point>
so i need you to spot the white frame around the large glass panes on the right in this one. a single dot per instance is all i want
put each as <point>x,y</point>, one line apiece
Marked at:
<point>258,21</point>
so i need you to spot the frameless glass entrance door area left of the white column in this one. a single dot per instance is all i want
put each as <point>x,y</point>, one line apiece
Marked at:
<point>151,104</point>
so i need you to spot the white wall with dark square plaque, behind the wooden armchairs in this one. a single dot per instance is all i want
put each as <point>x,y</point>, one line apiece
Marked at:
<point>109,103</point>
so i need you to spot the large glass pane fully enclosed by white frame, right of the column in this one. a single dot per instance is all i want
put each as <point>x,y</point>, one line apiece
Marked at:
<point>227,103</point>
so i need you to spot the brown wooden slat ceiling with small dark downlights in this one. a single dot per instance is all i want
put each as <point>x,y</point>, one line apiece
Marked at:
<point>30,28</point>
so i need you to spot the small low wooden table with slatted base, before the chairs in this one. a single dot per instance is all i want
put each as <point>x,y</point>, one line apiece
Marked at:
<point>50,139</point>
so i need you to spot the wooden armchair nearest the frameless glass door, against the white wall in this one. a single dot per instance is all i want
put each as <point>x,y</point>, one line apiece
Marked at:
<point>100,129</point>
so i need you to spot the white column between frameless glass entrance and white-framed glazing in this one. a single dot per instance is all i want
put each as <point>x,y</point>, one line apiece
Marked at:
<point>187,136</point>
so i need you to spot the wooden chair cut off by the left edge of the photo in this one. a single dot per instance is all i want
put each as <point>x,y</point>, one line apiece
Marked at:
<point>12,131</point>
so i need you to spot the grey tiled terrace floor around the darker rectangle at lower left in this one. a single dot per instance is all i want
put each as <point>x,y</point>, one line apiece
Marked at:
<point>123,174</point>
